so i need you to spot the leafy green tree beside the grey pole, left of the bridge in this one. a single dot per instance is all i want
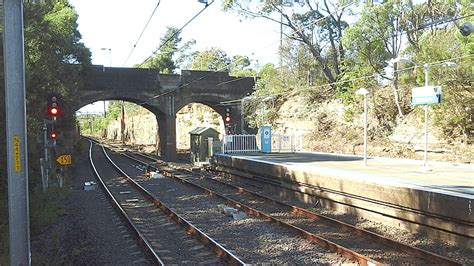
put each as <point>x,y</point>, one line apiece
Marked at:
<point>54,54</point>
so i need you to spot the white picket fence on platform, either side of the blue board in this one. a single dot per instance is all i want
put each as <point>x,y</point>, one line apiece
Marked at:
<point>251,143</point>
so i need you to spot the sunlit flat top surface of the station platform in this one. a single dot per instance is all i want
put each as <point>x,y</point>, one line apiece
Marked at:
<point>445,178</point>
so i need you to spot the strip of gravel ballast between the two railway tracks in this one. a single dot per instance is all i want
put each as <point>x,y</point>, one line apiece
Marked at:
<point>253,240</point>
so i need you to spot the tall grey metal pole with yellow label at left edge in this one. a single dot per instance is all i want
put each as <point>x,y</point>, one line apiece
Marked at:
<point>15,105</point>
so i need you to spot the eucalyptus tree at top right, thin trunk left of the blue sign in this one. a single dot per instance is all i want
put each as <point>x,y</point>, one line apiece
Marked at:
<point>381,32</point>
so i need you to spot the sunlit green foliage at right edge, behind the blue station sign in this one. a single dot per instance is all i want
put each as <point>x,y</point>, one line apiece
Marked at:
<point>455,114</point>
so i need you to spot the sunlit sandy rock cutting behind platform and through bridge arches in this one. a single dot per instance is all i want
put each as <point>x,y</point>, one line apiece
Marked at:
<point>325,128</point>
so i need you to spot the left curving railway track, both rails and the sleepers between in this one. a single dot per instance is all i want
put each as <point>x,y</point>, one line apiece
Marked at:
<point>151,221</point>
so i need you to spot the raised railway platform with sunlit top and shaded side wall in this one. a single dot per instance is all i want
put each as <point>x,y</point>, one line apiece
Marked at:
<point>439,202</point>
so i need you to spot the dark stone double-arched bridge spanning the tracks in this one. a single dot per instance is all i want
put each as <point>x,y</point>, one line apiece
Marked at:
<point>165,94</point>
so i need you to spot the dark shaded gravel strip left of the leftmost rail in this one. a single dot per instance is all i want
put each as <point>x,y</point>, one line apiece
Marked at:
<point>89,232</point>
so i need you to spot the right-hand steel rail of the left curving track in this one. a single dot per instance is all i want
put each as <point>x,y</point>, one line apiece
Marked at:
<point>222,252</point>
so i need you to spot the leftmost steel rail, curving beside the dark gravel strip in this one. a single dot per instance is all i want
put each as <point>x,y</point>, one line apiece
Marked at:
<point>143,242</point>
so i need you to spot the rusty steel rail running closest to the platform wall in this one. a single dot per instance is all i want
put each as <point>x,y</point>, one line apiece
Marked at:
<point>347,227</point>
